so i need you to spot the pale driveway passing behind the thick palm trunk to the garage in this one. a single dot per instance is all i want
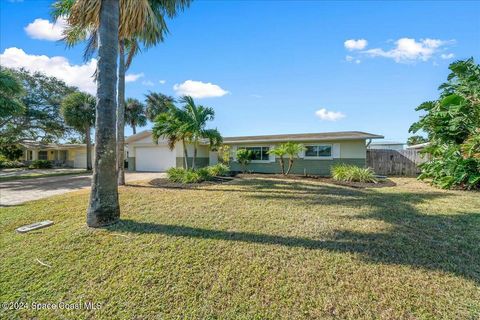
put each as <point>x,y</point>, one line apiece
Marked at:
<point>20,191</point>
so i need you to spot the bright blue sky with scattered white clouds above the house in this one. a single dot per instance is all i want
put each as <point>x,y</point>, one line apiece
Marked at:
<point>271,67</point>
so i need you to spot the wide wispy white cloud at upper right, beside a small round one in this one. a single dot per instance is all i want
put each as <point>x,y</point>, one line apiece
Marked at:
<point>409,50</point>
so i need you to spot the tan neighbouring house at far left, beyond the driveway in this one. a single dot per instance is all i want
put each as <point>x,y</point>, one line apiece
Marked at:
<point>61,155</point>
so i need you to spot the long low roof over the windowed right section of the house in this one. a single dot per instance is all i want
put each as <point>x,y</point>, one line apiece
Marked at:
<point>323,136</point>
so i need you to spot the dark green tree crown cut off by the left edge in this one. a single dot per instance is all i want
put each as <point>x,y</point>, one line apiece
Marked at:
<point>11,91</point>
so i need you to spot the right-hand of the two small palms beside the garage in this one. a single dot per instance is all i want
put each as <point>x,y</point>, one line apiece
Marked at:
<point>195,119</point>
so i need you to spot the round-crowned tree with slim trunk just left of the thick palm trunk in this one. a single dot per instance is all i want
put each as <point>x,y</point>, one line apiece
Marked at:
<point>78,110</point>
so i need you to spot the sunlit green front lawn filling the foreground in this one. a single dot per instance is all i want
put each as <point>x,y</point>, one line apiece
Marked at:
<point>259,248</point>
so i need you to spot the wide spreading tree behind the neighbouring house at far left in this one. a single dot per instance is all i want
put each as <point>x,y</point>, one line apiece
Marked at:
<point>40,118</point>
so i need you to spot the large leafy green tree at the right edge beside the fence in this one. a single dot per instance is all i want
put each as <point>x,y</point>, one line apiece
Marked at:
<point>452,123</point>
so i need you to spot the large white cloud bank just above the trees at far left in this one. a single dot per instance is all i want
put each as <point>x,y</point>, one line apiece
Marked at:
<point>80,76</point>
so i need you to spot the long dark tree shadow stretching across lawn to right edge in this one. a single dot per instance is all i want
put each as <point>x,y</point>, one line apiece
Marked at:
<point>431,240</point>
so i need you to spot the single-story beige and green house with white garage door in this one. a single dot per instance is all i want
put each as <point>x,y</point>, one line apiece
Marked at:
<point>322,150</point>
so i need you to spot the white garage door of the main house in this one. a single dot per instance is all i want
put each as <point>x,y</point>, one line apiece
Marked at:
<point>159,158</point>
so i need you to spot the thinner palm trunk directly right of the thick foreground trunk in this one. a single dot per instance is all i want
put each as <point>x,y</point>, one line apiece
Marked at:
<point>121,117</point>
